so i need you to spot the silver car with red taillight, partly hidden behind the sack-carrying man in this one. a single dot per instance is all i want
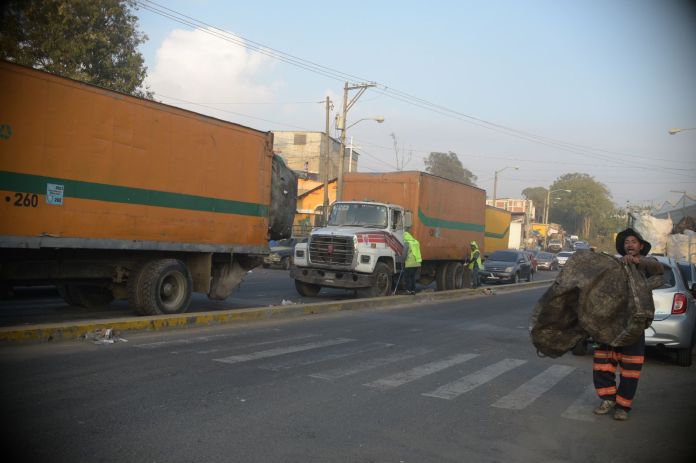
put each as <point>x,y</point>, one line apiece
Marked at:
<point>674,325</point>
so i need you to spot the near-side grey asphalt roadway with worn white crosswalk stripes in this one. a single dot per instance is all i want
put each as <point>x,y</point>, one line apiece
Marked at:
<point>449,382</point>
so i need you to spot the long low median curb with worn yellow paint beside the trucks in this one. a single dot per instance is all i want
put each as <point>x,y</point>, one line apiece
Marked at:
<point>78,329</point>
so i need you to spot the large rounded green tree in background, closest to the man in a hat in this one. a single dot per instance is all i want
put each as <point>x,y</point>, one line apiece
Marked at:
<point>587,210</point>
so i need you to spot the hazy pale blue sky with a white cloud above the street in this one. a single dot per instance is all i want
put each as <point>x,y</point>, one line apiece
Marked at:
<point>549,86</point>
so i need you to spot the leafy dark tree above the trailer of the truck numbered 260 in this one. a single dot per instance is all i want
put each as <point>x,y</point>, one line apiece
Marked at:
<point>93,41</point>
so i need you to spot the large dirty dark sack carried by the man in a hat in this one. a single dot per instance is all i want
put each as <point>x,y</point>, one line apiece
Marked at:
<point>594,295</point>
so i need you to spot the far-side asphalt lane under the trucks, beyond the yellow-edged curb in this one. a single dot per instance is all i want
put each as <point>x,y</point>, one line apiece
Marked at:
<point>261,288</point>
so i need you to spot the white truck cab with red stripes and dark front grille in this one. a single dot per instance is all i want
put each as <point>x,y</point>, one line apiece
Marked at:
<point>360,248</point>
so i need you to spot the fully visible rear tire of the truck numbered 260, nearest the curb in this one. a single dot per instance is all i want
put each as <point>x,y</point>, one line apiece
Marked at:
<point>161,287</point>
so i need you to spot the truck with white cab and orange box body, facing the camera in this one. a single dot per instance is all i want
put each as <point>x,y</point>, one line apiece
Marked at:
<point>361,247</point>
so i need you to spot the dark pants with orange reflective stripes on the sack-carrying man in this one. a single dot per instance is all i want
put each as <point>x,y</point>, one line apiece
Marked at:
<point>630,361</point>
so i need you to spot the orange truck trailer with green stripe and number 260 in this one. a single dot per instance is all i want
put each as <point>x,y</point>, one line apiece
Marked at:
<point>108,196</point>
